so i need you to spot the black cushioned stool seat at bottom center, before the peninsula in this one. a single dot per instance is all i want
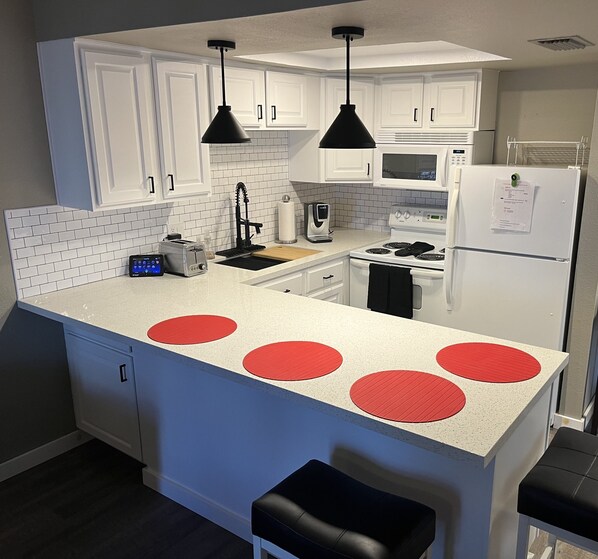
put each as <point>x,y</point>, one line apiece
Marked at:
<point>320,513</point>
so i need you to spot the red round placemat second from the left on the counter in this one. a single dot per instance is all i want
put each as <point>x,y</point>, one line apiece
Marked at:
<point>292,360</point>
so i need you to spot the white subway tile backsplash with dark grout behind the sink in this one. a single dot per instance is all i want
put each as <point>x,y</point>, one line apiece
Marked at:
<point>53,247</point>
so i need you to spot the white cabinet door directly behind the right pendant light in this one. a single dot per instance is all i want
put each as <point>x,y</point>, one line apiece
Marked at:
<point>349,164</point>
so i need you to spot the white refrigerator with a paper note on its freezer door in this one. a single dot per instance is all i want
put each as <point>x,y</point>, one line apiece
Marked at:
<point>511,235</point>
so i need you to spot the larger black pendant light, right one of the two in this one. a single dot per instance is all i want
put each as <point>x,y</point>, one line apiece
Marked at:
<point>347,131</point>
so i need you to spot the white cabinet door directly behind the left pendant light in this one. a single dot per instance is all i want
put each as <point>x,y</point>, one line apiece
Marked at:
<point>244,93</point>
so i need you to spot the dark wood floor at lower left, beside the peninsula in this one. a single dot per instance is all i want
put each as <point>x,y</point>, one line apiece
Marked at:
<point>91,503</point>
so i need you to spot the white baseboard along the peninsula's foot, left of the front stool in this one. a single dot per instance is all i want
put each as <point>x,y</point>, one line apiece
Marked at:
<point>226,518</point>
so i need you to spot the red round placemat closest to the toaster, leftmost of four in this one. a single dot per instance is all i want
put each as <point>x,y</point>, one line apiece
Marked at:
<point>192,329</point>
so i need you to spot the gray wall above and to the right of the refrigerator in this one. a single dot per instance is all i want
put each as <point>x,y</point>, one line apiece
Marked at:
<point>559,103</point>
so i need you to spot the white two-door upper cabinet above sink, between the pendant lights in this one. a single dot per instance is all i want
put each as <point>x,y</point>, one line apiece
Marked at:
<point>265,99</point>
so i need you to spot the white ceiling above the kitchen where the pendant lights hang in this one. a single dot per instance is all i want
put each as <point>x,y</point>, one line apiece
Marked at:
<point>500,27</point>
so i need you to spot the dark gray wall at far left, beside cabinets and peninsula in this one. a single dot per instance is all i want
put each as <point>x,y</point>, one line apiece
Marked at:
<point>35,402</point>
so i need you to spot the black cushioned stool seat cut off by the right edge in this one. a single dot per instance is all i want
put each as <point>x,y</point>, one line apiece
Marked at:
<point>562,488</point>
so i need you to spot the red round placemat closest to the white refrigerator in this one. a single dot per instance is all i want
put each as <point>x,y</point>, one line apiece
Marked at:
<point>488,362</point>
